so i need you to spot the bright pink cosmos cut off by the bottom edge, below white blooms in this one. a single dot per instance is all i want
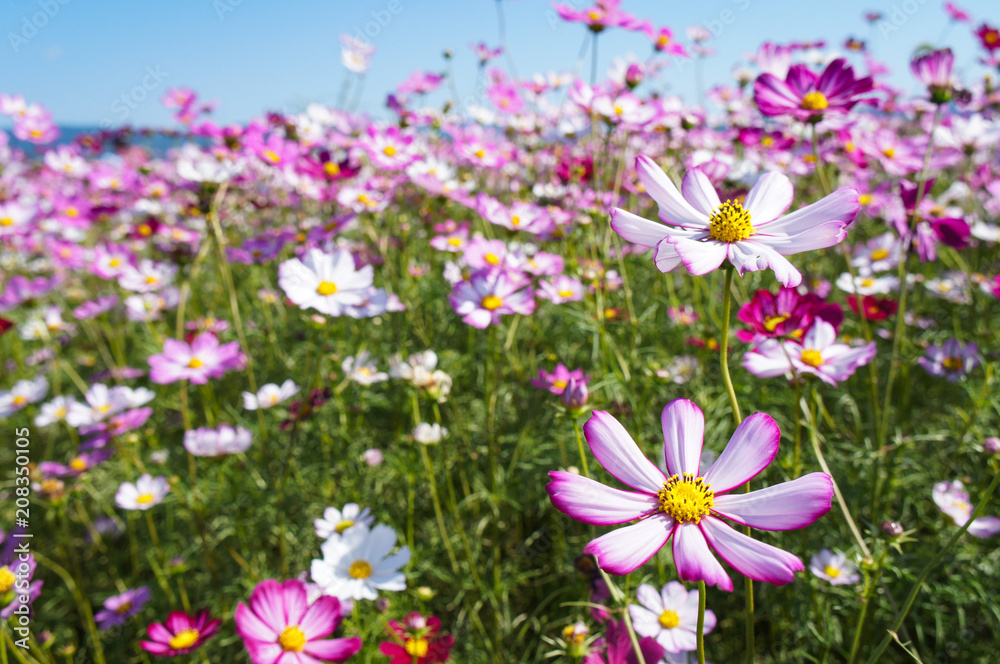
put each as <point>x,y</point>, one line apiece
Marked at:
<point>281,627</point>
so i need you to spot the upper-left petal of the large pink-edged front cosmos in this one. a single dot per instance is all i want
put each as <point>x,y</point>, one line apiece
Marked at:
<point>617,452</point>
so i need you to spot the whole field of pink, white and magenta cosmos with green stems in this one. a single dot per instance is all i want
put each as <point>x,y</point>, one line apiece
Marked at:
<point>576,372</point>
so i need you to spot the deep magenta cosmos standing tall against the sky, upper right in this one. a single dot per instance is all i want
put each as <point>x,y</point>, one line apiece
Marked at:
<point>807,95</point>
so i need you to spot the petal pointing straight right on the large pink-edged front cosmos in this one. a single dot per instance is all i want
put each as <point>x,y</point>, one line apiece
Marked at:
<point>784,506</point>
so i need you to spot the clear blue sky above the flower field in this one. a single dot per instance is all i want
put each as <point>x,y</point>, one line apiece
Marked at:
<point>267,54</point>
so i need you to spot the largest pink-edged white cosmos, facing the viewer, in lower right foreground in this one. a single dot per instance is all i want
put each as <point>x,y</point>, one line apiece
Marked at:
<point>687,505</point>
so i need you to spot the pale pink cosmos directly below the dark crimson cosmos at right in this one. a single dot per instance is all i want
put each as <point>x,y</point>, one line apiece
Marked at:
<point>819,354</point>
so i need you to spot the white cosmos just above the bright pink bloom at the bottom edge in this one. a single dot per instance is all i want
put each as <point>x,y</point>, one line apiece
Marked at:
<point>359,563</point>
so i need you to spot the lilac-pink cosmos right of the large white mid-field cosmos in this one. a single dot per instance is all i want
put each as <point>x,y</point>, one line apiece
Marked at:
<point>491,293</point>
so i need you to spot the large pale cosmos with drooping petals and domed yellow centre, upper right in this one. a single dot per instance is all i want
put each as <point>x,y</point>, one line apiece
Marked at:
<point>702,232</point>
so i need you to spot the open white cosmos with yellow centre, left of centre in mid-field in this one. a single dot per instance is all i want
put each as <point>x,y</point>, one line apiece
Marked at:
<point>327,283</point>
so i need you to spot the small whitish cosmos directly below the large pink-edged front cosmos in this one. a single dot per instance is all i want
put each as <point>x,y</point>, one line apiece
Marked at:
<point>670,616</point>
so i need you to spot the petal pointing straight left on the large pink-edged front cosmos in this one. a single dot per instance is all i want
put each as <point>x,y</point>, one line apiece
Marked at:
<point>592,502</point>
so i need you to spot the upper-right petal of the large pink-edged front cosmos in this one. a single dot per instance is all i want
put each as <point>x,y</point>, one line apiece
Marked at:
<point>752,447</point>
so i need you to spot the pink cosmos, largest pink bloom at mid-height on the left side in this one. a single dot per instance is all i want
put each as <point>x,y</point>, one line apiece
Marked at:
<point>204,358</point>
